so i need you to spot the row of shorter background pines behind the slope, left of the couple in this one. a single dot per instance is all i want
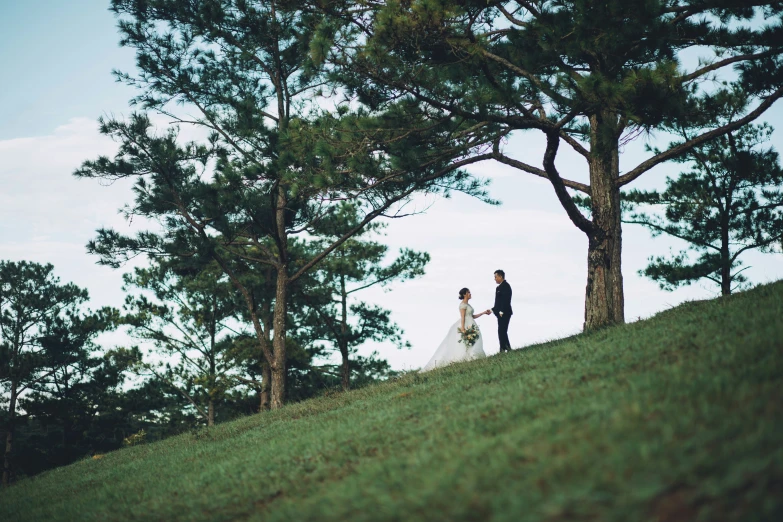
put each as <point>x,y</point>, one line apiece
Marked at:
<point>191,359</point>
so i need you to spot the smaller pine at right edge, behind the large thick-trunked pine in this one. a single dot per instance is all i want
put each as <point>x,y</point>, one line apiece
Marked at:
<point>731,201</point>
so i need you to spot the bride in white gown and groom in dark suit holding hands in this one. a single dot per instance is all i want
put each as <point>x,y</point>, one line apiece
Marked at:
<point>457,345</point>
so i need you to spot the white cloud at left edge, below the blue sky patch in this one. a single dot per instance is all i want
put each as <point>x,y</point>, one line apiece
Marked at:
<point>47,215</point>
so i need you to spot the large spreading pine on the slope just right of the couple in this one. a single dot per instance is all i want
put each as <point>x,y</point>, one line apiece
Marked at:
<point>592,75</point>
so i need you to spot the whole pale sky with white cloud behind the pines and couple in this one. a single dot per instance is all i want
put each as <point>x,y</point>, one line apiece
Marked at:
<point>55,68</point>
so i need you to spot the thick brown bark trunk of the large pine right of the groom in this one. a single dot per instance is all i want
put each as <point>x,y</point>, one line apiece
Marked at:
<point>604,299</point>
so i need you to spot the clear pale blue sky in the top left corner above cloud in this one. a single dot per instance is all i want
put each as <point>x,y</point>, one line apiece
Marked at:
<point>56,63</point>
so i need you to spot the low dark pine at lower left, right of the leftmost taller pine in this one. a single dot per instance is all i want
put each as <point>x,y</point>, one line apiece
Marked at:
<point>83,407</point>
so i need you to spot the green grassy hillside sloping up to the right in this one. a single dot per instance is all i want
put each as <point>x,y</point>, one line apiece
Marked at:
<point>678,417</point>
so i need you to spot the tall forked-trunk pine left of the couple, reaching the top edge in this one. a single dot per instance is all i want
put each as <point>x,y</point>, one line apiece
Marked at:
<point>279,161</point>
